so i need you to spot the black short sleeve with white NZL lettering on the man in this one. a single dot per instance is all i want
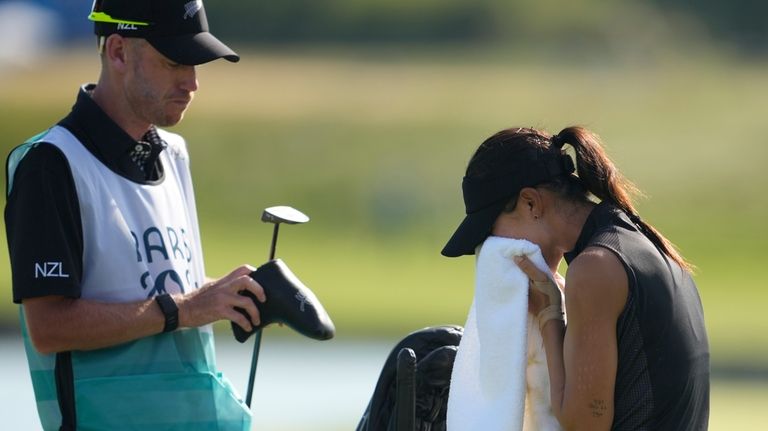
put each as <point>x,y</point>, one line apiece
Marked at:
<point>43,226</point>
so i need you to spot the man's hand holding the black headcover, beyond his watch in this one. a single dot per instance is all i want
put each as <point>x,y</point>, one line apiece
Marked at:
<point>217,300</point>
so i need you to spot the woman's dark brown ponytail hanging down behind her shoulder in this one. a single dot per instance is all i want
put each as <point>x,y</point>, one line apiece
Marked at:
<point>601,178</point>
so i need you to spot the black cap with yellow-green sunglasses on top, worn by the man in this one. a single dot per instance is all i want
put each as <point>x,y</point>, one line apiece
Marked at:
<point>178,29</point>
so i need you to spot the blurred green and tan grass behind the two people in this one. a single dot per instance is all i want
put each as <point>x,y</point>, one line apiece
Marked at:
<point>373,149</point>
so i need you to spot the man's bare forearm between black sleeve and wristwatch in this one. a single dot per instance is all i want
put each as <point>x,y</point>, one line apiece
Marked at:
<point>59,324</point>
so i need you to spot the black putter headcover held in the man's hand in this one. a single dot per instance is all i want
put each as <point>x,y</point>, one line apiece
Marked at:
<point>289,302</point>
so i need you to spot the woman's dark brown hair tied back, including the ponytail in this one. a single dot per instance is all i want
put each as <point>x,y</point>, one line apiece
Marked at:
<point>597,175</point>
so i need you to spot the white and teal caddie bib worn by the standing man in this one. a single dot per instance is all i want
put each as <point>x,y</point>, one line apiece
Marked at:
<point>139,240</point>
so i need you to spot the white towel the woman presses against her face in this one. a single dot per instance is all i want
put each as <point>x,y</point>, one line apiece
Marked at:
<point>501,346</point>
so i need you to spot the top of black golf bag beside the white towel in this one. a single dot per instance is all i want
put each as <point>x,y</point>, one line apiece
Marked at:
<point>412,391</point>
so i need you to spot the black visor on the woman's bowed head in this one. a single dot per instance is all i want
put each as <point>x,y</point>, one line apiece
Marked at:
<point>486,197</point>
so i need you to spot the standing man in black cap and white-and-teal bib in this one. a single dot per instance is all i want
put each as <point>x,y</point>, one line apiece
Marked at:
<point>104,243</point>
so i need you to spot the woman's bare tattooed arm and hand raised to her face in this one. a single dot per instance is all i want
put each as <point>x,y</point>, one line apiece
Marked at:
<point>583,360</point>
